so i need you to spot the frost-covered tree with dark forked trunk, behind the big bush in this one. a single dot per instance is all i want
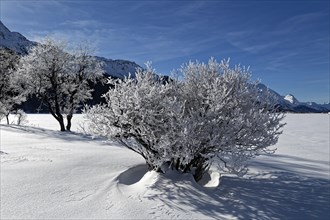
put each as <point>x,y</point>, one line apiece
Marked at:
<point>58,78</point>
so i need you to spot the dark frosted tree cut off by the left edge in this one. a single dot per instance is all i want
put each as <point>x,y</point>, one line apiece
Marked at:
<point>10,95</point>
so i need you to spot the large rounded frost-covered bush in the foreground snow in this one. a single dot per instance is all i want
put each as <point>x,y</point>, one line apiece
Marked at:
<point>213,115</point>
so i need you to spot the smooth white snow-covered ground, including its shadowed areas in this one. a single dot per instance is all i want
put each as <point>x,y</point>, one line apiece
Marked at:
<point>47,174</point>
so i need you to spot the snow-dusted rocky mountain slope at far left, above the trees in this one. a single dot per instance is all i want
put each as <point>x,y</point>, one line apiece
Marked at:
<point>14,40</point>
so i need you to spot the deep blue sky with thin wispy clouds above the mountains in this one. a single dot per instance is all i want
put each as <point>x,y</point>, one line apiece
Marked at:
<point>285,42</point>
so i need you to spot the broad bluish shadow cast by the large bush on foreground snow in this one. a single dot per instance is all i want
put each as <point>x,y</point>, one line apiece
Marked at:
<point>279,194</point>
